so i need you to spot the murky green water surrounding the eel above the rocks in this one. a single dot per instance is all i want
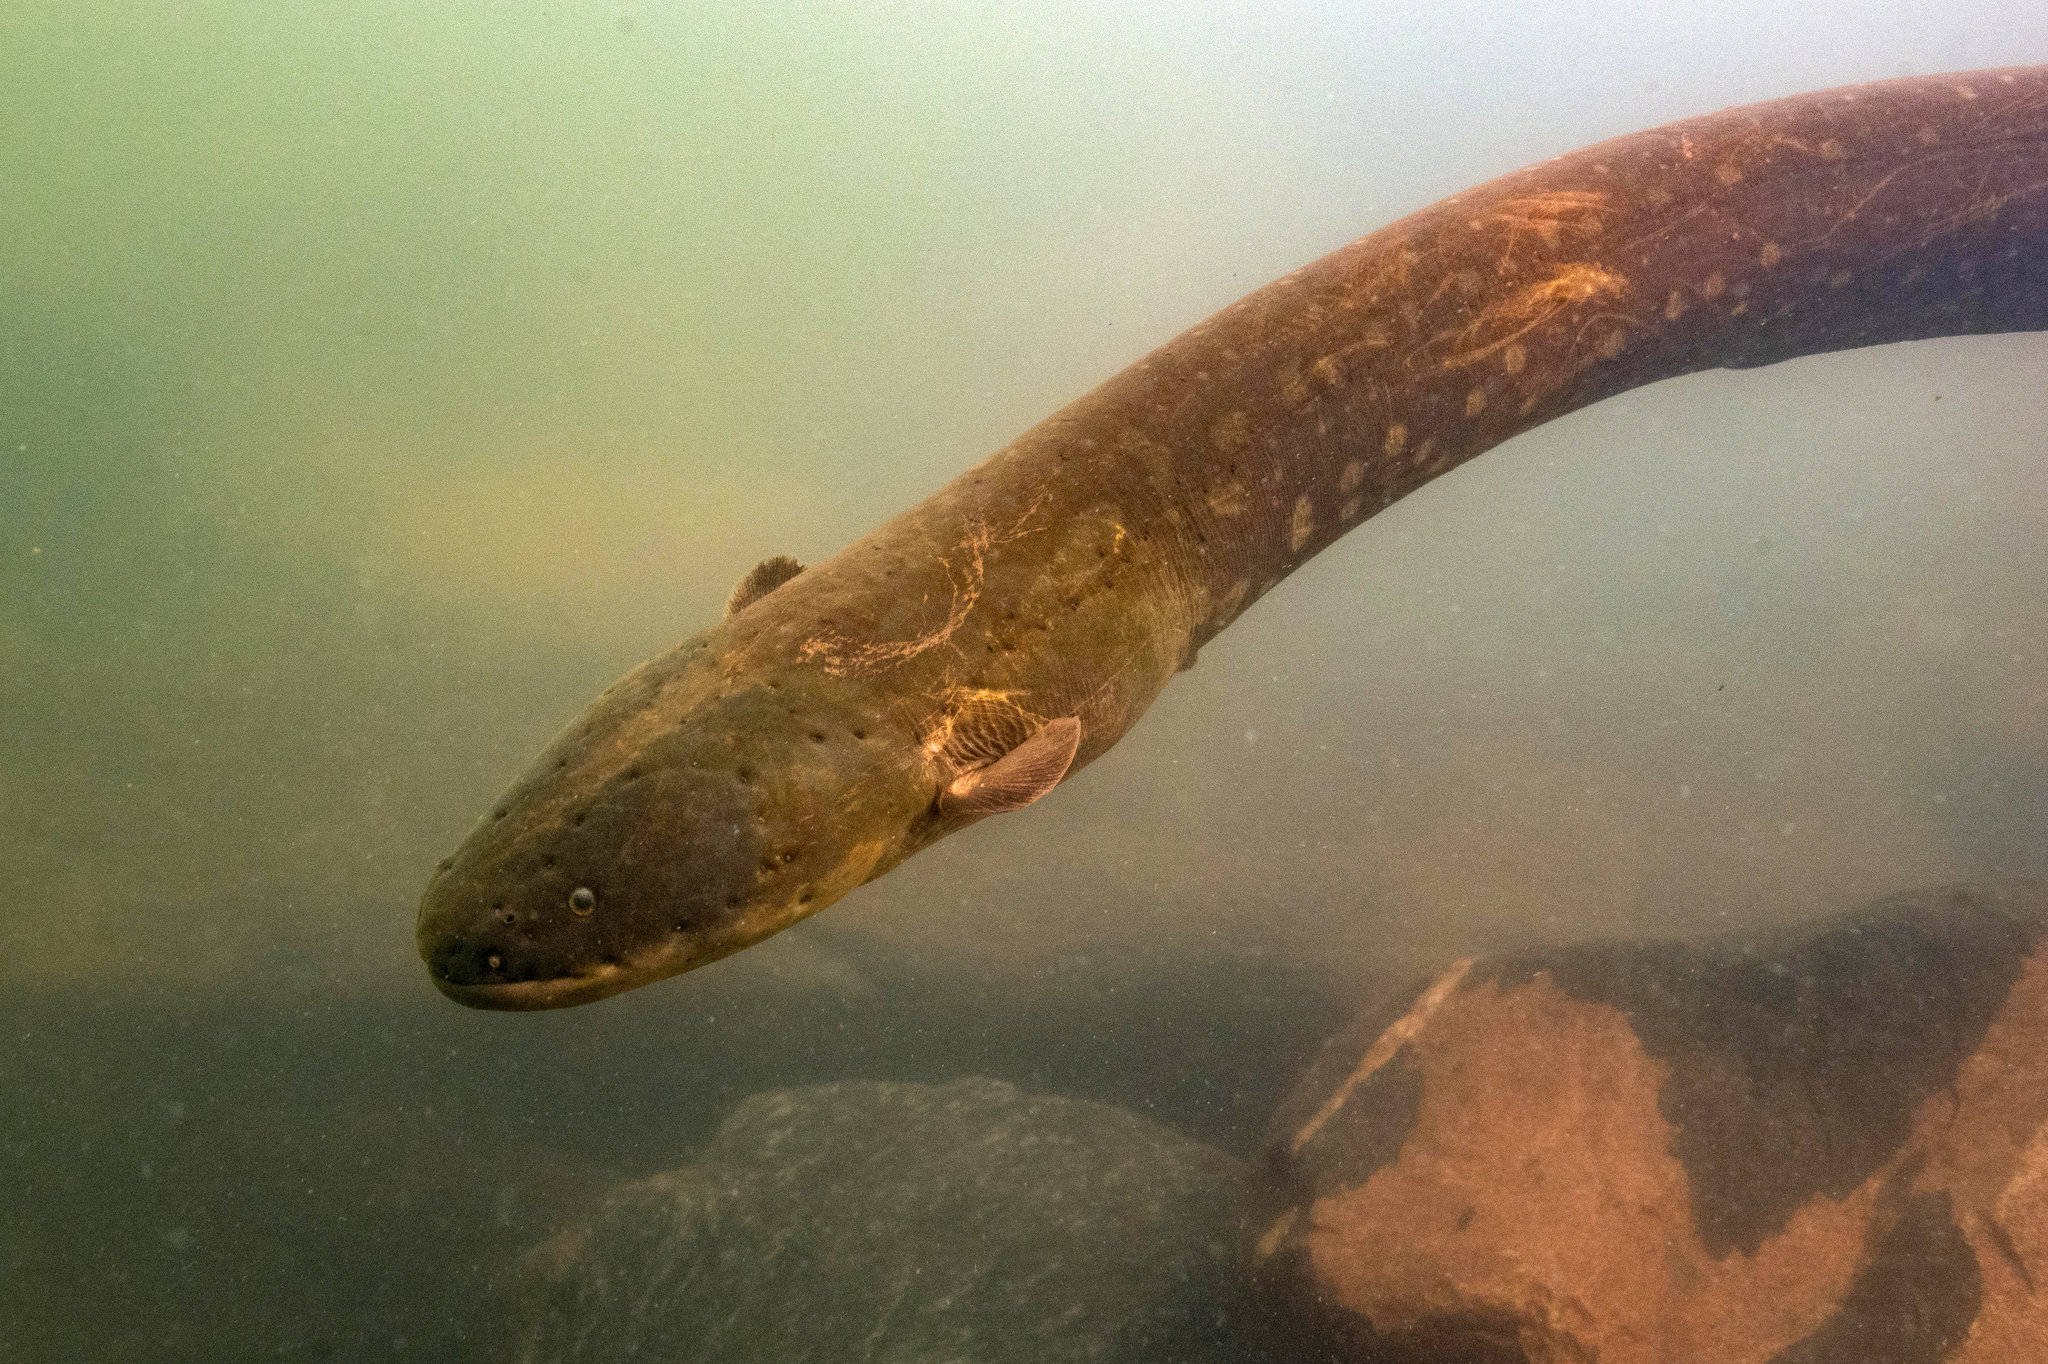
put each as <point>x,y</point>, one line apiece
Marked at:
<point>378,382</point>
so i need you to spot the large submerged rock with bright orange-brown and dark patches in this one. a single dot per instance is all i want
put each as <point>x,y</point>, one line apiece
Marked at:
<point>1820,1150</point>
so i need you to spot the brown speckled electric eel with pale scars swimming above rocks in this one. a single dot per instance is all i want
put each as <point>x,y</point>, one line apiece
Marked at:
<point>970,654</point>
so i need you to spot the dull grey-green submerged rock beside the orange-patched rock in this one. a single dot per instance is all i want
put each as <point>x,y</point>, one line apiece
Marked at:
<point>896,1222</point>
